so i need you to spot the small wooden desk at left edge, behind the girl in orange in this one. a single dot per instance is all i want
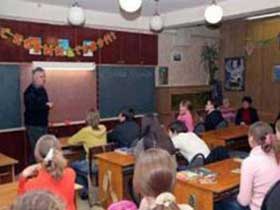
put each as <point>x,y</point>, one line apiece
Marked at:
<point>7,169</point>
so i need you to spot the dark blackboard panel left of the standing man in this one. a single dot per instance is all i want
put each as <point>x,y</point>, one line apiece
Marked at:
<point>10,109</point>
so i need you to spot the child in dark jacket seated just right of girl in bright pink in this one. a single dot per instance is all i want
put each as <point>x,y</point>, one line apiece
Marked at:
<point>213,116</point>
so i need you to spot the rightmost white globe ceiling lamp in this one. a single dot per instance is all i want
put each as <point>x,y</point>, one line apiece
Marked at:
<point>213,13</point>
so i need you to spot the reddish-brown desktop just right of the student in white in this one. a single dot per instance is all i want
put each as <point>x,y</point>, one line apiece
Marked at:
<point>228,133</point>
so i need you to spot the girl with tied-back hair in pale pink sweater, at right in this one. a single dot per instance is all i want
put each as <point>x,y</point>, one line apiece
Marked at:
<point>259,172</point>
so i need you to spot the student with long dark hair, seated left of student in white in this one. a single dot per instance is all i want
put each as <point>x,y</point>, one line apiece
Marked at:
<point>153,136</point>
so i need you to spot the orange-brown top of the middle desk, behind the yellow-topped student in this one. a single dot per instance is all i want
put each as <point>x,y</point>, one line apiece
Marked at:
<point>117,158</point>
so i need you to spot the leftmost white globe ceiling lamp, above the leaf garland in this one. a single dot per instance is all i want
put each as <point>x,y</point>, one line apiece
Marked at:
<point>76,15</point>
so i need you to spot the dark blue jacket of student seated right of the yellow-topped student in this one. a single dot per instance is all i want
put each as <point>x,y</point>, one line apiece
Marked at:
<point>125,133</point>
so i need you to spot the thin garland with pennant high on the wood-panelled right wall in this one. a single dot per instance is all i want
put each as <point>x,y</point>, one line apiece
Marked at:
<point>252,45</point>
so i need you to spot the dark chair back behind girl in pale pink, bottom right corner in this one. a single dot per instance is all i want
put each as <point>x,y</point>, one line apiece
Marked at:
<point>271,200</point>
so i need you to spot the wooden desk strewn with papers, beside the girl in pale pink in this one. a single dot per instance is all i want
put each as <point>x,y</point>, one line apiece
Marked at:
<point>203,196</point>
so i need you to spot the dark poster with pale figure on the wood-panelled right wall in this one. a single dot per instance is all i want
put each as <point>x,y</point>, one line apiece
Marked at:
<point>235,74</point>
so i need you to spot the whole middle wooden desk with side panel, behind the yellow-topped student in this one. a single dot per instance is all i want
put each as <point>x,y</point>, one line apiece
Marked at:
<point>116,163</point>
